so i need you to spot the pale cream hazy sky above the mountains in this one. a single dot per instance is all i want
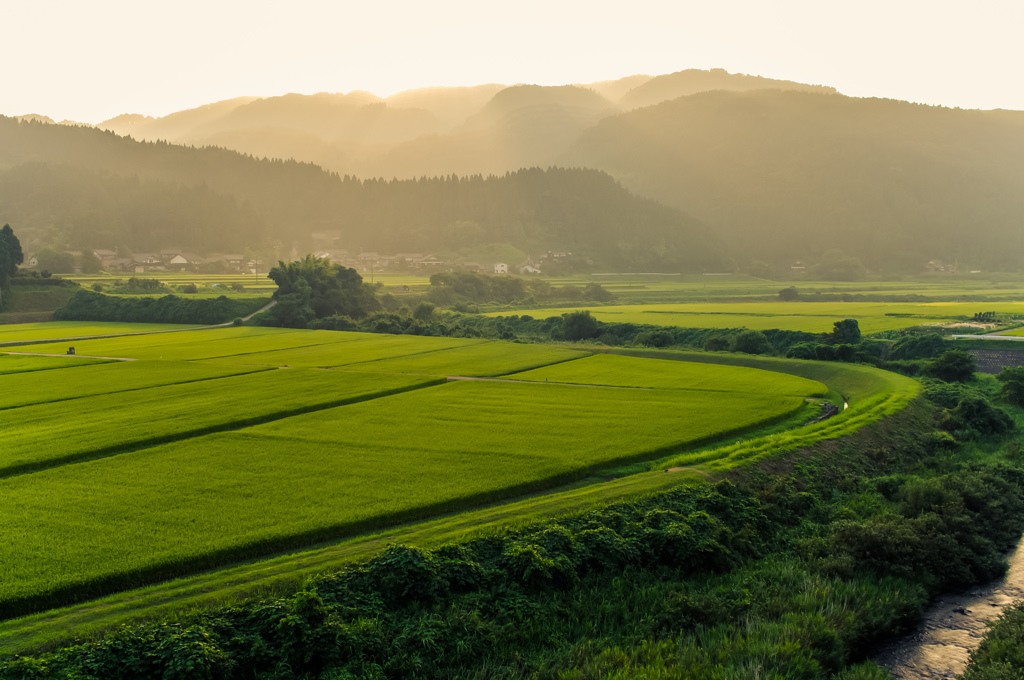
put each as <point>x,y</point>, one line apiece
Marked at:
<point>91,61</point>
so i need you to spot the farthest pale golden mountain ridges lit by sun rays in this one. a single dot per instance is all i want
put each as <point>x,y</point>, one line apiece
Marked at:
<point>462,131</point>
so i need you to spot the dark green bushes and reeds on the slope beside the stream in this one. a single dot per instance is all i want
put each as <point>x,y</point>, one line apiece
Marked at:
<point>795,575</point>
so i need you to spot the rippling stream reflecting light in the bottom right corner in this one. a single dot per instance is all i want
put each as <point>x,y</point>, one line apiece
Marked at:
<point>953,627</point>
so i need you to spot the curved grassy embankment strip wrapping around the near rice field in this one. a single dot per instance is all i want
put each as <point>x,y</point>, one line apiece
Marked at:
<point>873,395</point>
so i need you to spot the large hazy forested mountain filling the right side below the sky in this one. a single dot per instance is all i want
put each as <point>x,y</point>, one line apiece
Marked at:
<point>789,176</point>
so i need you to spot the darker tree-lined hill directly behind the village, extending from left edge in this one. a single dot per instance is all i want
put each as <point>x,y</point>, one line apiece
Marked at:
<point>95,190</point>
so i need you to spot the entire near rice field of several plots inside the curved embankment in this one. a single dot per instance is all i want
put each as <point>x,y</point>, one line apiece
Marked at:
<point>116,475</point>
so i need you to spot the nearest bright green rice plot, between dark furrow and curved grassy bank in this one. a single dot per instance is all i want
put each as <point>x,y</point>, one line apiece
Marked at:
<point>323,475</point>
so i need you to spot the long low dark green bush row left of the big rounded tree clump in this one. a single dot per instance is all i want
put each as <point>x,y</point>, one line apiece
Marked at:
<point>88,306</point>
